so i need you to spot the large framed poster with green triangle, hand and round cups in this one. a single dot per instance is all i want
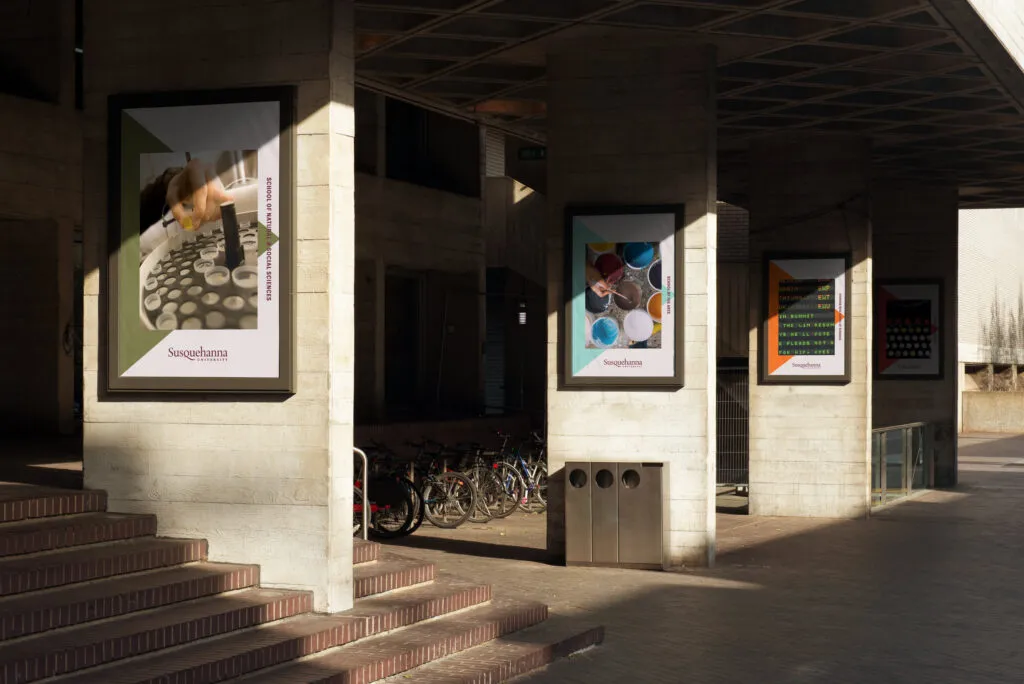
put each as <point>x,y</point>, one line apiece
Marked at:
<point>200,252</point>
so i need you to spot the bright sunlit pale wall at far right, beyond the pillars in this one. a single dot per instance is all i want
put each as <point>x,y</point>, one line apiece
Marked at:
<point>992,291</point>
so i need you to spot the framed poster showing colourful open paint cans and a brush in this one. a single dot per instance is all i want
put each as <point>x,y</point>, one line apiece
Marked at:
<point>624,326</point>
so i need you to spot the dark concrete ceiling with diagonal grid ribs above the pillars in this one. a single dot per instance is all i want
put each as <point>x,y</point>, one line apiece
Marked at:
<point>908,73</point>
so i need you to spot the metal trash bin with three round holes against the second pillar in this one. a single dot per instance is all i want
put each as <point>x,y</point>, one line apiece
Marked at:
<point>616,515</point>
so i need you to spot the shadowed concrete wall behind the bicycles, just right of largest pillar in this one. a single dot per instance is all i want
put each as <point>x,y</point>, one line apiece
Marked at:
<point>441,236</point>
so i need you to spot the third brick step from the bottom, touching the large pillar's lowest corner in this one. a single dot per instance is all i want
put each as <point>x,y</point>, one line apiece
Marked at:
<point>249,651</point>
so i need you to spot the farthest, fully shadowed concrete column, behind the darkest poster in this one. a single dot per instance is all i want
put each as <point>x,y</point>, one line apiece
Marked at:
<point>916,237</point>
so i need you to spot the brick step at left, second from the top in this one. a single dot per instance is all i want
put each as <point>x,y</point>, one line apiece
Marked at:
<point>35,535</point>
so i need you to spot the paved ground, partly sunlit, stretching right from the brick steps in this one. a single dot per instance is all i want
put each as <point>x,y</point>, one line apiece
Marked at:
<point>930,591</point>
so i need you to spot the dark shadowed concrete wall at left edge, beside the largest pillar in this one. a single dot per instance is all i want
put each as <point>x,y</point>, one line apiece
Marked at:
<point>41,190</point>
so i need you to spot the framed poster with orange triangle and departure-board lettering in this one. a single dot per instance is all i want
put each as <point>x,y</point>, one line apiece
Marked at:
<point>806,331</point>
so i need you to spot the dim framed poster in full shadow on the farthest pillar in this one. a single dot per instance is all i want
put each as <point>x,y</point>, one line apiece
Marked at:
<point>909,325</point>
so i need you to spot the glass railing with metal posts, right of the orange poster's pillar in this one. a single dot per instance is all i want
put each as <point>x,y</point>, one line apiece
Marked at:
<point>902,461</point>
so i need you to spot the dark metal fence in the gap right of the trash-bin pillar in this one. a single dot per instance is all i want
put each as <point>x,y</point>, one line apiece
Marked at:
<point>734,417</point>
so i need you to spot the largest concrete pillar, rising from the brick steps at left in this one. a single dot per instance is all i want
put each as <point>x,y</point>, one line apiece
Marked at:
<point>266,482</point>
